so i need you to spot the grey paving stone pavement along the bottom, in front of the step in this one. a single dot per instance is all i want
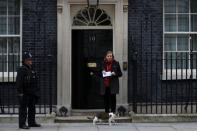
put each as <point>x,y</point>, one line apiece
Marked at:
<point>105,127</point>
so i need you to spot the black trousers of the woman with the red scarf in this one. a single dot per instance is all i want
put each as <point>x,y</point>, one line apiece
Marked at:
<point>109,101</point>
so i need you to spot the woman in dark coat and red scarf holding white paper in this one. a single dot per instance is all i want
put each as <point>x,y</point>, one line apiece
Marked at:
<point>109,85</point>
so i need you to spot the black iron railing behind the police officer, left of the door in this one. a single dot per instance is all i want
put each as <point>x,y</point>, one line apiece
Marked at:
<point>46,83</point>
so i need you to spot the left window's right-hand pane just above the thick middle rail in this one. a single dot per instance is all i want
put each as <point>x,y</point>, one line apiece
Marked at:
<point>14,25</point>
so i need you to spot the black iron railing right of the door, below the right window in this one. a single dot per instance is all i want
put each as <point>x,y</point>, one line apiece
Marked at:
<point>164,85</point>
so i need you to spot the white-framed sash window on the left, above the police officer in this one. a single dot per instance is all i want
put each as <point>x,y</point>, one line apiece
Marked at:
<point>10,35</point>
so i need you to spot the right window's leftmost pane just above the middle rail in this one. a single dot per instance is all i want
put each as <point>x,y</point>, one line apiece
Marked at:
<point>170,23</point>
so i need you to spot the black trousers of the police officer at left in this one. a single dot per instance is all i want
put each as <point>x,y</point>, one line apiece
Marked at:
<point>26,102</point>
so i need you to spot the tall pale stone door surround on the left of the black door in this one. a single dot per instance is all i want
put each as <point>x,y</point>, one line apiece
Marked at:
<point>64,55</point>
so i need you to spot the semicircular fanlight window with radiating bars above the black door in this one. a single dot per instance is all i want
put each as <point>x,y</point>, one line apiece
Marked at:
<point>91,16</point>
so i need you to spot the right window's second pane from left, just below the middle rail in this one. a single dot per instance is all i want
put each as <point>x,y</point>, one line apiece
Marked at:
<point>182,42</point>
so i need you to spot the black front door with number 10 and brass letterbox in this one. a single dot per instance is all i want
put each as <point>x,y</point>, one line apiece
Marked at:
<point>88,51</point>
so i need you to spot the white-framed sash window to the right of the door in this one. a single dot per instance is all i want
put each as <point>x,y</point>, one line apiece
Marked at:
<point>180,34</point>
